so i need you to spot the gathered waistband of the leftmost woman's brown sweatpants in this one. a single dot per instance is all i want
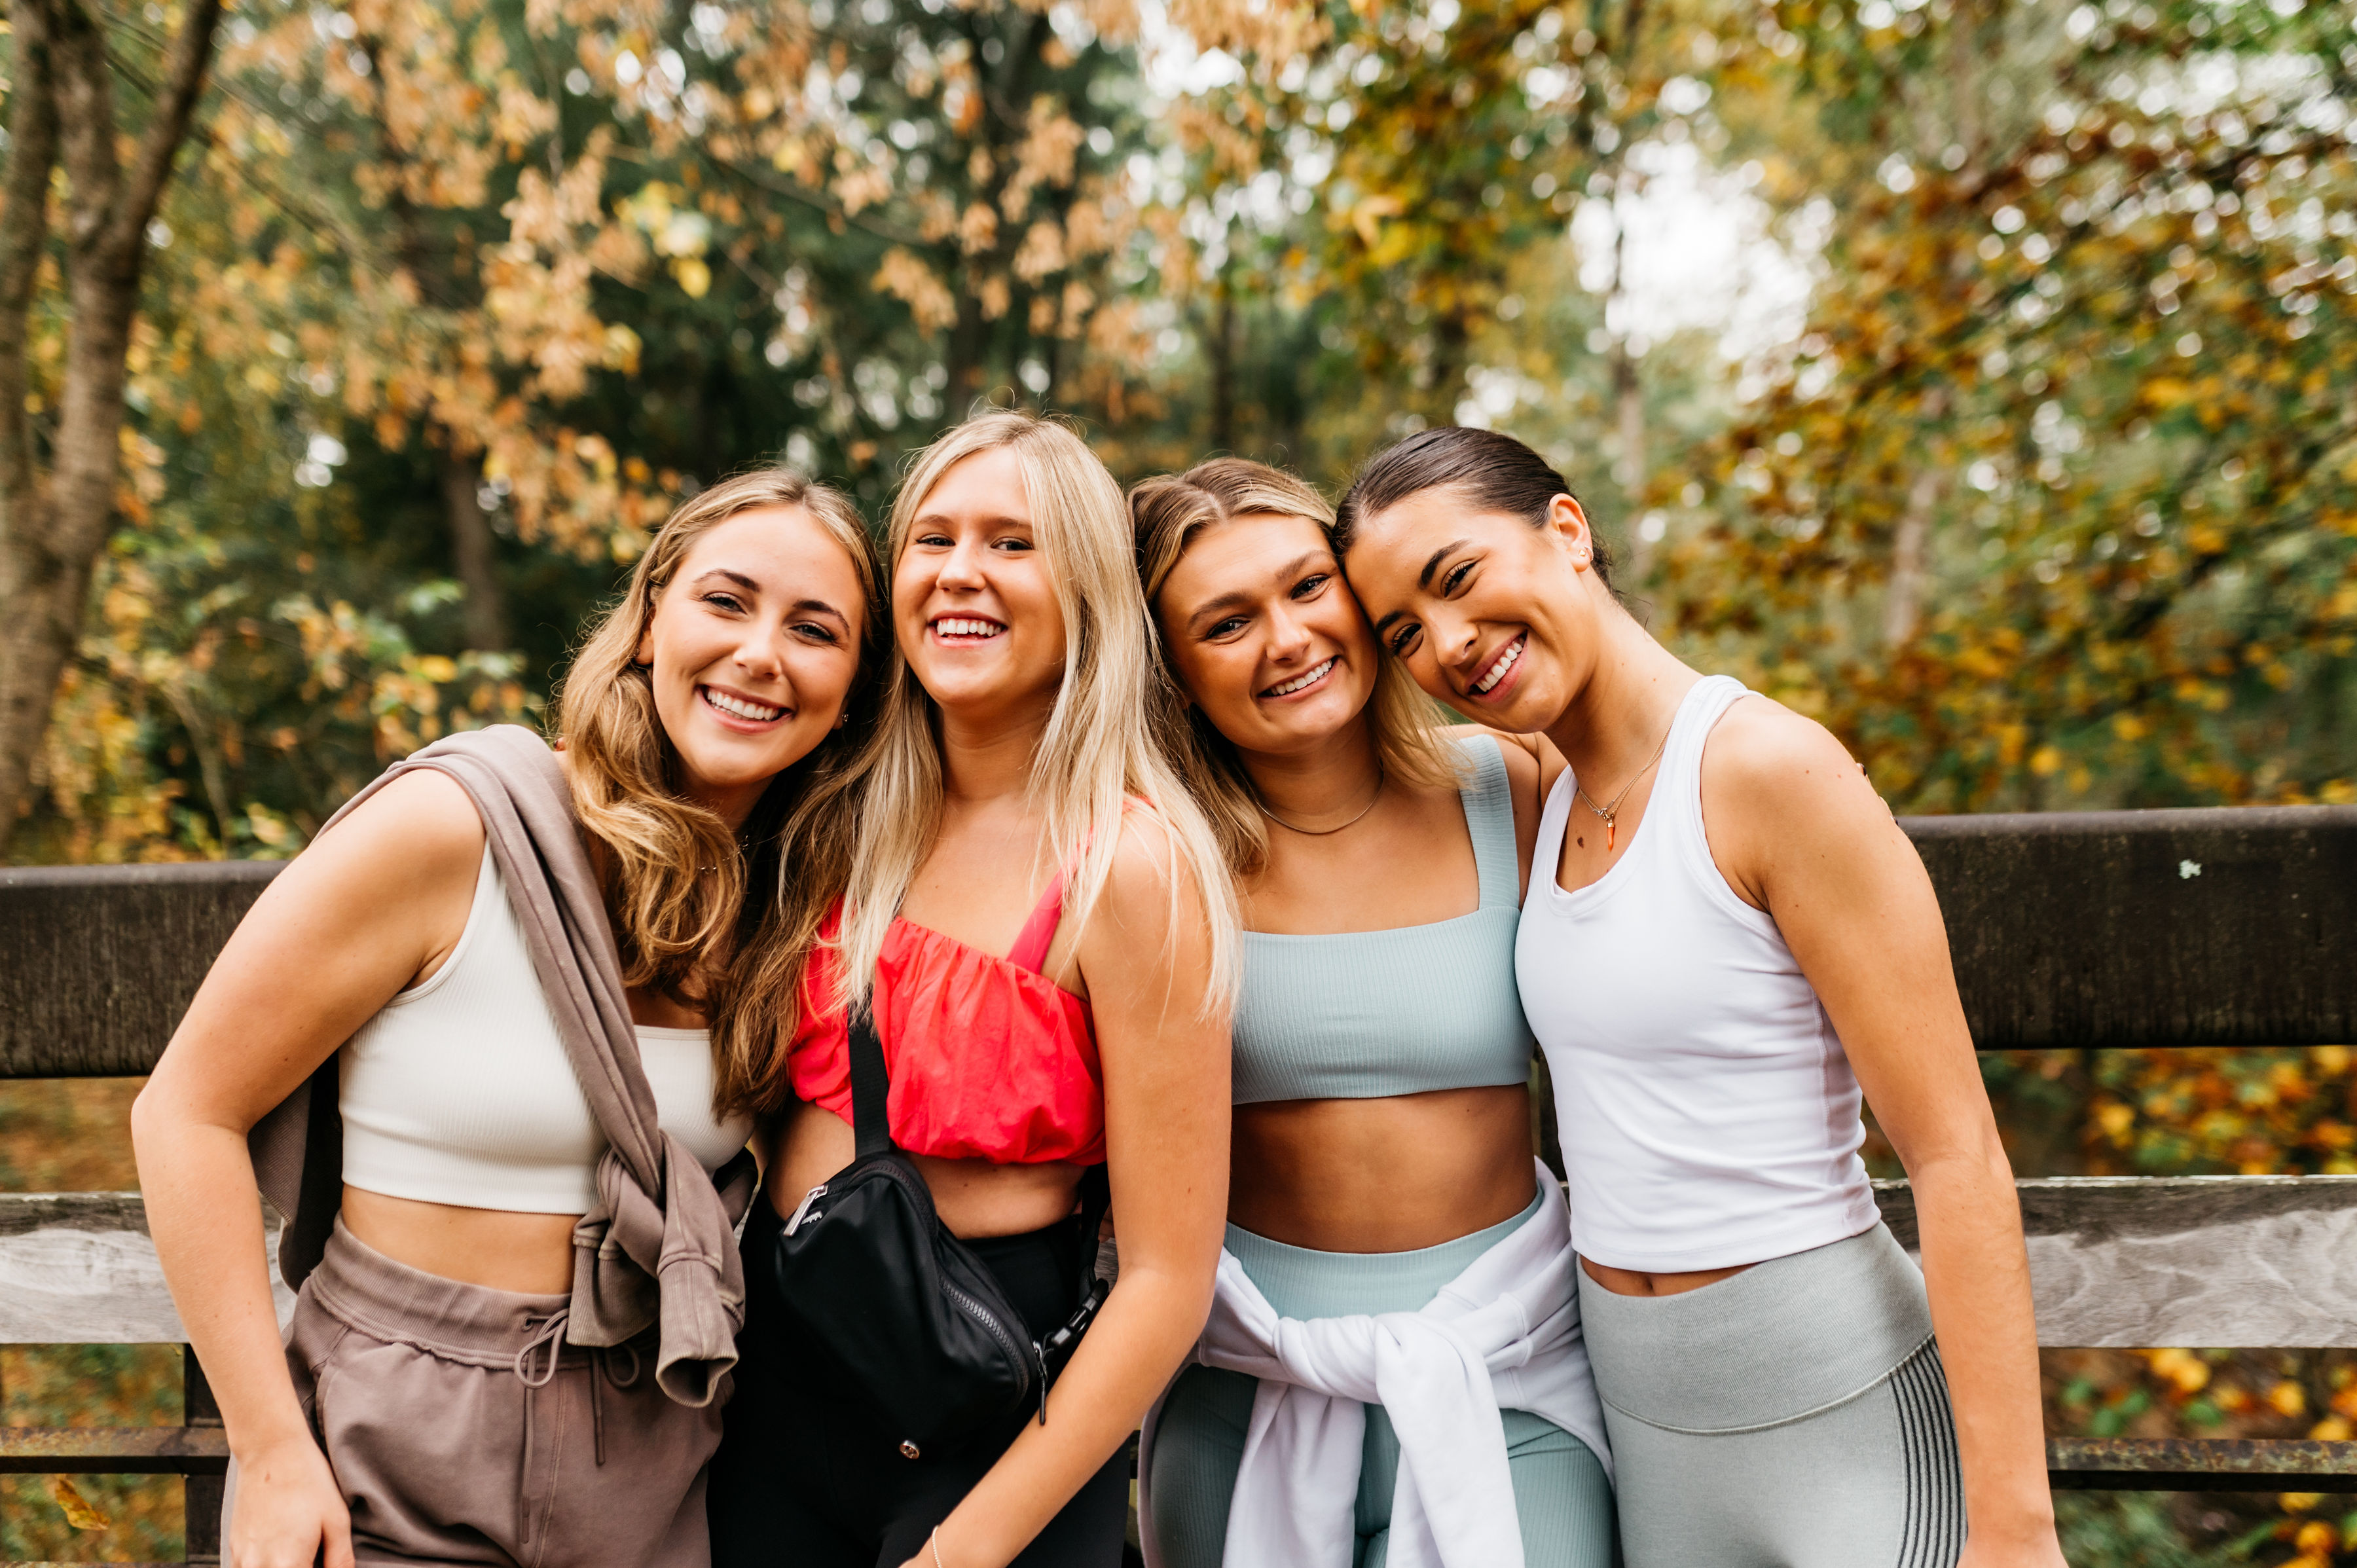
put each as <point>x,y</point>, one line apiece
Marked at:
<point>451,1319</point>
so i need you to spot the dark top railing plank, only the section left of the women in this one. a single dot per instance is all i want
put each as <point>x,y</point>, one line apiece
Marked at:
<point>105,958</point>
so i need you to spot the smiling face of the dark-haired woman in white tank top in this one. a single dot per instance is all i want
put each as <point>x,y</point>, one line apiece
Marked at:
<point>1493,617</point>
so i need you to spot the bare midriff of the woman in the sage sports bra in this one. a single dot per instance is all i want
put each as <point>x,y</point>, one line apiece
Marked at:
<point>1382,1175</point>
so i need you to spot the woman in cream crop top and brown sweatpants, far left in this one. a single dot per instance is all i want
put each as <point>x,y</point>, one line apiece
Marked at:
<point>435,1397</point>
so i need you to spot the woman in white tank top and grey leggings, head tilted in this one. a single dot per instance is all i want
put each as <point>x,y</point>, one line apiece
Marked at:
<point>1727,935</point>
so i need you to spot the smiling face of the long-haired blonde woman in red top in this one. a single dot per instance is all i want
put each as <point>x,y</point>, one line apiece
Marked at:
<point>972,598</point>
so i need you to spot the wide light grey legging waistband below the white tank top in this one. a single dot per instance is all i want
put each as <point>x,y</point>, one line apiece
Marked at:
<point>1762,1348</point>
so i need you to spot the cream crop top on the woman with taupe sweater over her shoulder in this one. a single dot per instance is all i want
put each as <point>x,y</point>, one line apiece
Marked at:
<point>461,1088</point>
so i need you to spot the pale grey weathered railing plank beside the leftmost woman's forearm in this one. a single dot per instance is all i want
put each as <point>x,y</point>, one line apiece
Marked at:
<point>81,1270</point>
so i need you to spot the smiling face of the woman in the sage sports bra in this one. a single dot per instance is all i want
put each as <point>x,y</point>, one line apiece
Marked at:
<point>1265,633</point>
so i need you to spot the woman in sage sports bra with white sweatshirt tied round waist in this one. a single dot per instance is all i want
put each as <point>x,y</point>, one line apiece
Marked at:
<point>1397,1338</point>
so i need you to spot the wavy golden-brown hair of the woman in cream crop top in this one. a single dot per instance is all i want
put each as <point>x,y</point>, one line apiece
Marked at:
<point>682,928</point>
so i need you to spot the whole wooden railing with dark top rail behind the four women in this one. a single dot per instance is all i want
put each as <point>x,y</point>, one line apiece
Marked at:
<point>2073,930</point>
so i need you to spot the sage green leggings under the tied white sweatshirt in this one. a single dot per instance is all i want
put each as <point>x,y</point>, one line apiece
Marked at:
<point>1562,1494</point>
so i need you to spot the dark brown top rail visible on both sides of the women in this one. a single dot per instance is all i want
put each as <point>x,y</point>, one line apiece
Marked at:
<point>2073,928</point>
